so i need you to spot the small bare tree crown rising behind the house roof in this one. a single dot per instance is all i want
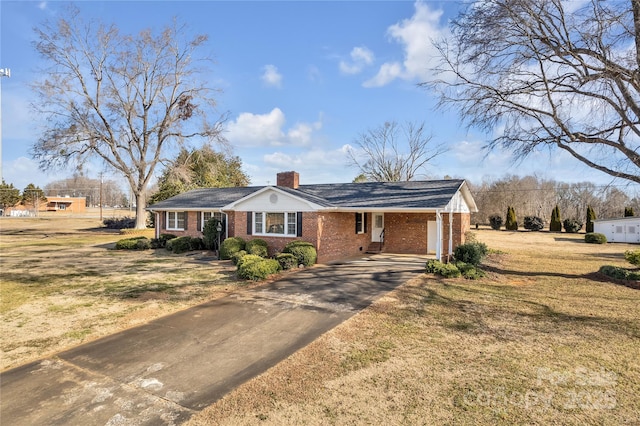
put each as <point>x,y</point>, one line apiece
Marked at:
<point>393,153</point>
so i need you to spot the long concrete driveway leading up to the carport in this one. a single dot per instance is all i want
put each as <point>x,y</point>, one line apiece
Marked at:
<point>165,371</point>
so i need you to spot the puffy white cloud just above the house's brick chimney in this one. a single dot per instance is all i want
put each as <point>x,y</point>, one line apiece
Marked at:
<point>269,130</point>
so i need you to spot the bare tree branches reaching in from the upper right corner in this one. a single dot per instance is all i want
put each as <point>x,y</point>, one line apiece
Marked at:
<point>549,76</point>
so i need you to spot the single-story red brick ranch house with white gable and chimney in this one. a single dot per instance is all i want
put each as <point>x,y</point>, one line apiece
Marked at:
<point>340,220</point>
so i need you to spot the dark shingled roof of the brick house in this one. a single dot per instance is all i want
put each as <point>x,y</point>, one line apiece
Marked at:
<point>433,194</point>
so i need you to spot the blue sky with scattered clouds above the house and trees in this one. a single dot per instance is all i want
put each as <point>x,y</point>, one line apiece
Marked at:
<point>300,81</point>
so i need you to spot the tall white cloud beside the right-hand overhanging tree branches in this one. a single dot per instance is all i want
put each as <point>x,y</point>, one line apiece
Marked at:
<point>415,35</point>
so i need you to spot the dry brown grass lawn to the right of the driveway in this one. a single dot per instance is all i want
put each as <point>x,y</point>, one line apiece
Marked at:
<point>540,340</point>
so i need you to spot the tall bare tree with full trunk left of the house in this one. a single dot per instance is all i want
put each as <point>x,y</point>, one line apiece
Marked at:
<point>123,99</point>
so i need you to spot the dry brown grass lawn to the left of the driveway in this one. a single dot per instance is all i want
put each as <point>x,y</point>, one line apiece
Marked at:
<point>61,285</point>
